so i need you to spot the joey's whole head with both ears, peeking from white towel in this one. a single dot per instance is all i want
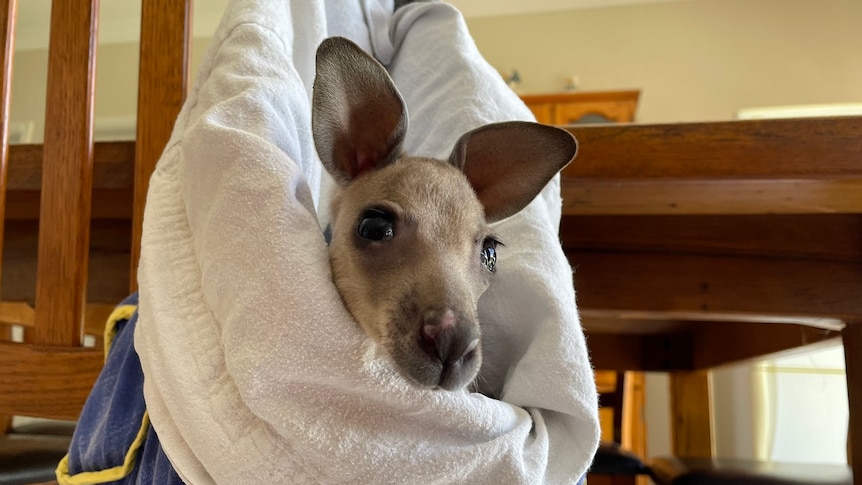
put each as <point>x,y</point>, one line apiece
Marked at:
<point>412,250</point>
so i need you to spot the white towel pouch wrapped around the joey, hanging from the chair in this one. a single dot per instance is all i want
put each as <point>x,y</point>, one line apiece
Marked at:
<point>254,371</point>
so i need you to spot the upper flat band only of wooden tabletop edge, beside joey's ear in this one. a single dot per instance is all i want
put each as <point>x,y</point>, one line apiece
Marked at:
<point>770,149</point>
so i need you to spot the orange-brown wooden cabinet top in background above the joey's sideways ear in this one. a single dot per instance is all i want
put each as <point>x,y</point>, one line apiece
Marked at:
<point>583,107</point>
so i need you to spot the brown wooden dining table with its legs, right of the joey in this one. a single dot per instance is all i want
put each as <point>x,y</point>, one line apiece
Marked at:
<point>696,245</point>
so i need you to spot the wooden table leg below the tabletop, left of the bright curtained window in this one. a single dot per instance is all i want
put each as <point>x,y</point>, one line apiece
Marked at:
<point>691,414</point>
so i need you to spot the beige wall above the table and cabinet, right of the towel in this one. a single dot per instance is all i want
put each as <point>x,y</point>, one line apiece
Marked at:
<point>699,60</point>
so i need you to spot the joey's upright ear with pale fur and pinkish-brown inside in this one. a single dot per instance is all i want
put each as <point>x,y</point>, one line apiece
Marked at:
<point>358,118</point>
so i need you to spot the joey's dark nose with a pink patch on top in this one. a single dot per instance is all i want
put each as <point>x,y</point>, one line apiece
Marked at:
<point>447,339</point>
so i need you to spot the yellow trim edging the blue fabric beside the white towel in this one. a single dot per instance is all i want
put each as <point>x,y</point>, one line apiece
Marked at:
<point>122,312</point>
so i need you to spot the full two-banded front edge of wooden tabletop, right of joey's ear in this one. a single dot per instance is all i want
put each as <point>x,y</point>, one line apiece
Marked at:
<point>738,167</point>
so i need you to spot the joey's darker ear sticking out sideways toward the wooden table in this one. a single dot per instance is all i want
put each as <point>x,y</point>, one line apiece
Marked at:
<point>509,163</point>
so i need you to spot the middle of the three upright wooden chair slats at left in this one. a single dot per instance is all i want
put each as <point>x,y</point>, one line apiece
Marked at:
<point>67,175</point>
